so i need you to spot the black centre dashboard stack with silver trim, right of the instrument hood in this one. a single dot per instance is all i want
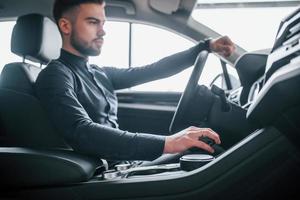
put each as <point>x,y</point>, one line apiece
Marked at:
<point>275,96</point>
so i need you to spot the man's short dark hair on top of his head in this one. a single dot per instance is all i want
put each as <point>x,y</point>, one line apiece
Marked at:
<point>62,6</point>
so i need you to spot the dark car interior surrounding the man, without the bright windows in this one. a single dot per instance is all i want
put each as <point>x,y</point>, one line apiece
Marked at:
<point>258,120</point>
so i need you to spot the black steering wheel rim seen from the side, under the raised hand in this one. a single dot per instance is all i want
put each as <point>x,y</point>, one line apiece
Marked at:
<point>190,89</point>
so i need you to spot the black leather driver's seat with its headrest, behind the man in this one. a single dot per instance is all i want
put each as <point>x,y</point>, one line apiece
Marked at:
<point>37,39</point>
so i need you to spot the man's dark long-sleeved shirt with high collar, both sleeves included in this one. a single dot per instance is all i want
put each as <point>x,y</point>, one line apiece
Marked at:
<point>81,102</point>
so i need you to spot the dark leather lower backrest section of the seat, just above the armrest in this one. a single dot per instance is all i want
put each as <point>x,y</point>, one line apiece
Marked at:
<point>25,123</point>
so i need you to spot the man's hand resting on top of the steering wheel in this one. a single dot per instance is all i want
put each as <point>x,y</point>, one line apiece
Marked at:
<point>222,45</point>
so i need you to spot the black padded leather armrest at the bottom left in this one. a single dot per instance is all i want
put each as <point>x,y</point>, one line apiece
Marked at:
<point>31,167</point>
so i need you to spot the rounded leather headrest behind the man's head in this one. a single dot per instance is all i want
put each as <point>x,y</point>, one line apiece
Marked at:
<point>36,38</point>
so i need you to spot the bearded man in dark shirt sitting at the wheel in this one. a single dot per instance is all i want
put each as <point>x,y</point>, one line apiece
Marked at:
<point>80,98</point>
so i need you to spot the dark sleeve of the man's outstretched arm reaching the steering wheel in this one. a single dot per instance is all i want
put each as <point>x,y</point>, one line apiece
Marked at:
<point>123,78</point>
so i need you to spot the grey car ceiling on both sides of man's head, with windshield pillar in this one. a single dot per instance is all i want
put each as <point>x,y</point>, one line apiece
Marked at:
<point>170,14</point>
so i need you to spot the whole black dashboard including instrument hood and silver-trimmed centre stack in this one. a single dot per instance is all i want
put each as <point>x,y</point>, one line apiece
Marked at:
<point>271,79</point>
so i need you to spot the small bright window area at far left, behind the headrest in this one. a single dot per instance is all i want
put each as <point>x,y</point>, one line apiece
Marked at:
<point>6,55</point>
